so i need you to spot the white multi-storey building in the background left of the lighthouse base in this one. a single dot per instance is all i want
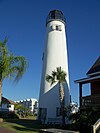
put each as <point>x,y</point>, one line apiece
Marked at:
<point>31,103</point>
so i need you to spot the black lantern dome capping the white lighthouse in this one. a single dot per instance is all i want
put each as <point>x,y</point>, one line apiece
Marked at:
<point>55,15</point>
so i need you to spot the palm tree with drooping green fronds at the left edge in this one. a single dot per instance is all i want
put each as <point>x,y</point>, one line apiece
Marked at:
<point>10,66</point>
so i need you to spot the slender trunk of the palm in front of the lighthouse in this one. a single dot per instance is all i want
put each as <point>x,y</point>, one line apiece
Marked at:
<point>62,102</point>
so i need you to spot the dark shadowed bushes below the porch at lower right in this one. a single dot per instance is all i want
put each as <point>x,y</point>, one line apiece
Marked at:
<point>83,119</point>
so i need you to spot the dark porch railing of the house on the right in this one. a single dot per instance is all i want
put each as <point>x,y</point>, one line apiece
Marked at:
<point>93,100</point>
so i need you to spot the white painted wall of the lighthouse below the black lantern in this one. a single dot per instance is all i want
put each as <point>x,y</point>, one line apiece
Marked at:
<point>55,55</point>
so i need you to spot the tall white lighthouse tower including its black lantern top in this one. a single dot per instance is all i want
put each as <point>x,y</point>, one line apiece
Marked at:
<point>55,55</point>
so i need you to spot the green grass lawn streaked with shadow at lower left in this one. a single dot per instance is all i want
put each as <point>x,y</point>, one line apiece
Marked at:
<point>22,125</point>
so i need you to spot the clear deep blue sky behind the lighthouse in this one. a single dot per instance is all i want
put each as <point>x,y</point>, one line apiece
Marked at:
<point>23,22</point>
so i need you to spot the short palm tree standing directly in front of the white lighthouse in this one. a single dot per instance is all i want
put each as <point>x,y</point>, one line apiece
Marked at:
<point>59,76</point>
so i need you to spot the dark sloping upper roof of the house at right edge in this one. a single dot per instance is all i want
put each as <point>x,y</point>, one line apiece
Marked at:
<point>95,69</point>
